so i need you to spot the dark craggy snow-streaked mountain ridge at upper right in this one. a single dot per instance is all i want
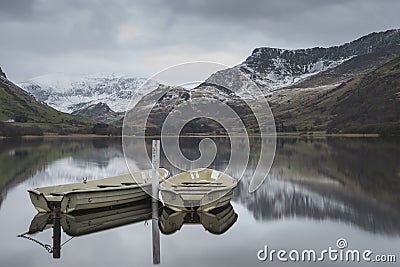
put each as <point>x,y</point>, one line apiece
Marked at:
<point>274,68</point>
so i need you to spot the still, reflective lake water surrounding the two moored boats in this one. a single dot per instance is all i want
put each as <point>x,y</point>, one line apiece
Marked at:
<point>318,191</point>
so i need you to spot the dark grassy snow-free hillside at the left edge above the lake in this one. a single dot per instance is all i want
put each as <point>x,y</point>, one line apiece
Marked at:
<point>21,107</point>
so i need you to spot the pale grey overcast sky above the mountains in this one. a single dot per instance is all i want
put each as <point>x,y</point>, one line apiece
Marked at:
<point>142,37</point>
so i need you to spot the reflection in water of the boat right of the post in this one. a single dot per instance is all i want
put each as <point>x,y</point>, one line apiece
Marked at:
<point>216,221</point>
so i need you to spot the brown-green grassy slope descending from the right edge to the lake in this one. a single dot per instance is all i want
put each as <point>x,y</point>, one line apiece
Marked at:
<point>365,104</point>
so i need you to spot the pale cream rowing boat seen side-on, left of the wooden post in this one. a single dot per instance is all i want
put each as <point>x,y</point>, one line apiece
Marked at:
<point>112,191</point>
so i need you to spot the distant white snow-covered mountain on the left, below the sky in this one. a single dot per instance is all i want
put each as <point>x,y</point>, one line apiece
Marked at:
<point>69,93</point>
